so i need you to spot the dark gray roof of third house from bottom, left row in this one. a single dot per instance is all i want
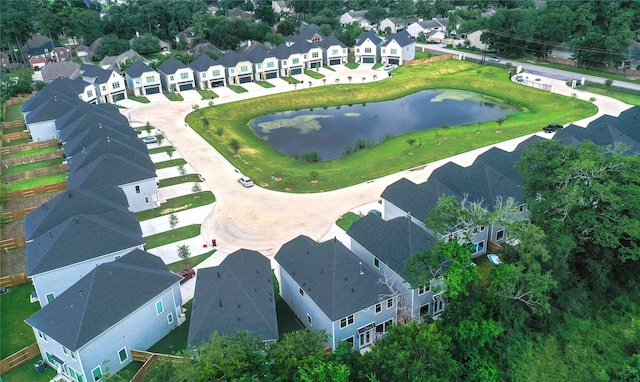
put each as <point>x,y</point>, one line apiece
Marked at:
<point>71,203</point>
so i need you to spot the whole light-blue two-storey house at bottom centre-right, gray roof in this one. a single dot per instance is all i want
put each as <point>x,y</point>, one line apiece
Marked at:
<point>331,289</point>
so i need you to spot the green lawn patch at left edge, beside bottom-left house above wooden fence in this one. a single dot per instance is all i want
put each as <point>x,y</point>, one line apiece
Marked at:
<point>16,308</point>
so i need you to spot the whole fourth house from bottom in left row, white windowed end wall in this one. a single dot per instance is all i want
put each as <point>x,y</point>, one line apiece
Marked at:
<point>137,180</point>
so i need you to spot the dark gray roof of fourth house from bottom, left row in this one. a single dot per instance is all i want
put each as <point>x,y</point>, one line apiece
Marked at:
<point>110,169</point>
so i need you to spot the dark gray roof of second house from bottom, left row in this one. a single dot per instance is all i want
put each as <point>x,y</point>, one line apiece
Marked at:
<point>81,238</point>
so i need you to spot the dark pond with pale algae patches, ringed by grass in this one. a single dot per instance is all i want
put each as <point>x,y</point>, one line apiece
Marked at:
<point>328,133</point>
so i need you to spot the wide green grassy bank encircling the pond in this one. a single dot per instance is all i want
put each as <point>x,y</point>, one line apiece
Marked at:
<point>260,161</point>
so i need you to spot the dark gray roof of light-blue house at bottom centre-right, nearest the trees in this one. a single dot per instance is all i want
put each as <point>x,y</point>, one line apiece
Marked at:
<point>331,275</point>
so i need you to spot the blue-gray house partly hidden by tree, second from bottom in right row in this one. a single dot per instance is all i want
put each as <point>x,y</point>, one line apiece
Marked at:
<point>386,245</point>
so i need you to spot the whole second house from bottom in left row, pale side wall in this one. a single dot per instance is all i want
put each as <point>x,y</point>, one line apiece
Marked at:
<point>65,253</point>
